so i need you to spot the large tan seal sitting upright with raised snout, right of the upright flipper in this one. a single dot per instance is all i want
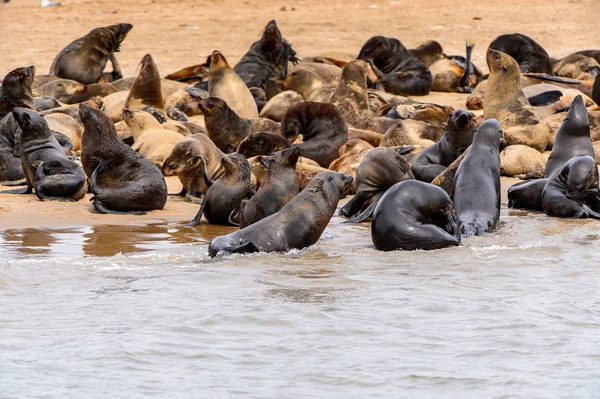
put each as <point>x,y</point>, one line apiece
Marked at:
<point>506,102</point>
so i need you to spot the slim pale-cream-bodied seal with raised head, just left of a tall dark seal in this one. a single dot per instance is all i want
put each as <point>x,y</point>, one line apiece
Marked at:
<point>227,85</point>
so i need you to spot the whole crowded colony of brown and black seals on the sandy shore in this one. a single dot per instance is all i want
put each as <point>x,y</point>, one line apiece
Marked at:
<point>273,142</point>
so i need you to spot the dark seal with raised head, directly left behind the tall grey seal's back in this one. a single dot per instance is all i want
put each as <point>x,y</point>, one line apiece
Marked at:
<point>456,139</point>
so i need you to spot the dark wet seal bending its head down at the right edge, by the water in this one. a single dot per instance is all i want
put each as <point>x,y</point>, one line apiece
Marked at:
<point>572,190</point>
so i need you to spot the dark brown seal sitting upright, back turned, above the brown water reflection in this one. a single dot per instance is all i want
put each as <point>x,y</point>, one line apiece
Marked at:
<point>123,181</point>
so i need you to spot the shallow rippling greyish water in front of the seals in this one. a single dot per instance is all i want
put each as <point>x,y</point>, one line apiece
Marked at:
<point>121,311</point>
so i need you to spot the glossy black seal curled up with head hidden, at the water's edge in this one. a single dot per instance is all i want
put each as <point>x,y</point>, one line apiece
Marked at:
<point>414,215</point>
